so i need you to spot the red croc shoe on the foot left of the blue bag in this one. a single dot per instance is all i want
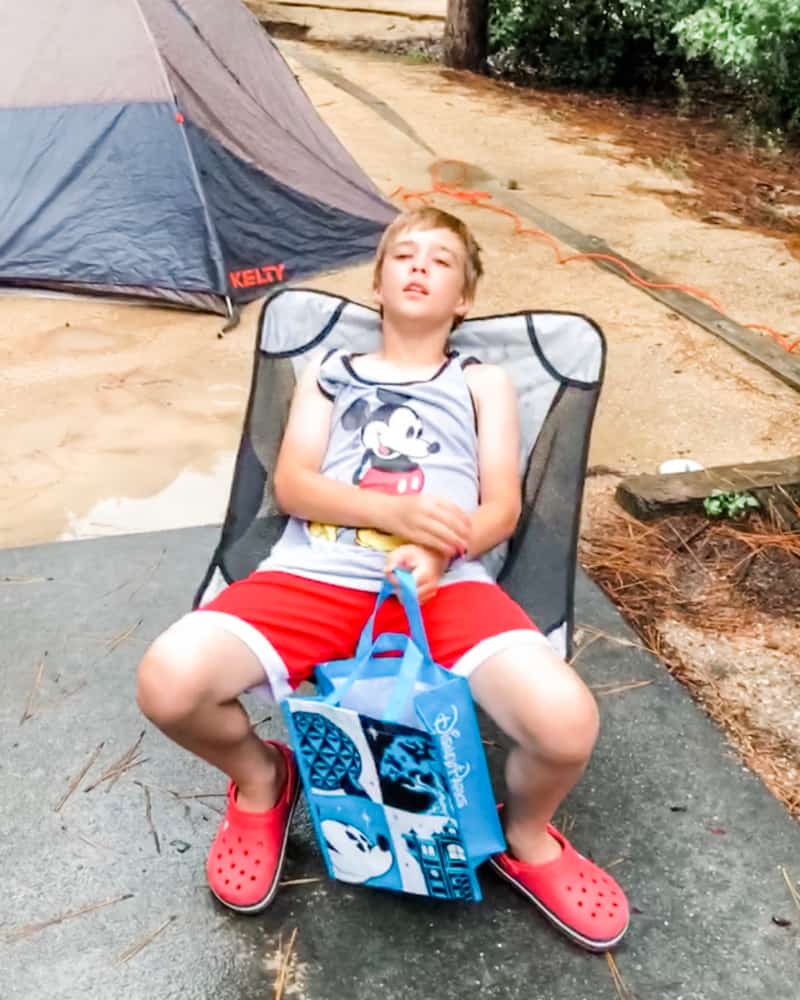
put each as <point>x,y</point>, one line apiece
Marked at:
<point>245,861</point>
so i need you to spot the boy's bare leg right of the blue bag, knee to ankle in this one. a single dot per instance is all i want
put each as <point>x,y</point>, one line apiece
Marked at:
<point>542,704</point>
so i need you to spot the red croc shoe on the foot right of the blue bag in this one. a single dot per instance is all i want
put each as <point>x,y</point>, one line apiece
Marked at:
<point>573,893</point>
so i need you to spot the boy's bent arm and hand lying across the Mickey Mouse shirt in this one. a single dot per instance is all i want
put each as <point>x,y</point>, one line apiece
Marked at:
<point>303,491</point>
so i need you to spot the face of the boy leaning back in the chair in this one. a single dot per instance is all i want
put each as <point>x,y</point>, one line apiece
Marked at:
<point>423,277</point>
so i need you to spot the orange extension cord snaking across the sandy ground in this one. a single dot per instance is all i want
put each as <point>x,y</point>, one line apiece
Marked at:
<point>483,199</point>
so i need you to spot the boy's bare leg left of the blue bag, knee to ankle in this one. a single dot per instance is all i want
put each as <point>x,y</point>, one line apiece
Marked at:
<point>188,685</point>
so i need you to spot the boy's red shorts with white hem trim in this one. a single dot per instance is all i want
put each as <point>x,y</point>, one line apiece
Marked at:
<point>292,623</point>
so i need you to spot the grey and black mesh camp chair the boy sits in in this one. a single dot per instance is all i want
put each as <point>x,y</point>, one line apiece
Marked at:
<point>556,362</point>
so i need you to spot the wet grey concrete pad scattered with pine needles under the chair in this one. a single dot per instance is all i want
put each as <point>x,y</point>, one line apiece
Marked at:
<point>696,840</point>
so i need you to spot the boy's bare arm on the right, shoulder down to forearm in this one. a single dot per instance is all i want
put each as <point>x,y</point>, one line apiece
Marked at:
<point>498,455</point>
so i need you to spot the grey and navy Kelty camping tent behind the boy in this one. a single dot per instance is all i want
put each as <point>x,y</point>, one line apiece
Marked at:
<point>164,149</point>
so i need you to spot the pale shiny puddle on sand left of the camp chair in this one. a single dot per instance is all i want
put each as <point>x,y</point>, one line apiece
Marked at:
<point>191,499</point>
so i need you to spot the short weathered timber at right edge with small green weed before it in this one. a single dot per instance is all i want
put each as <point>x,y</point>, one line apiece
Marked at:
<point>776,485</point>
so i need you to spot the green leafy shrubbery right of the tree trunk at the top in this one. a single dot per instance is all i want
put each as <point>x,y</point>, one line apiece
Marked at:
<point>750,46</point>
